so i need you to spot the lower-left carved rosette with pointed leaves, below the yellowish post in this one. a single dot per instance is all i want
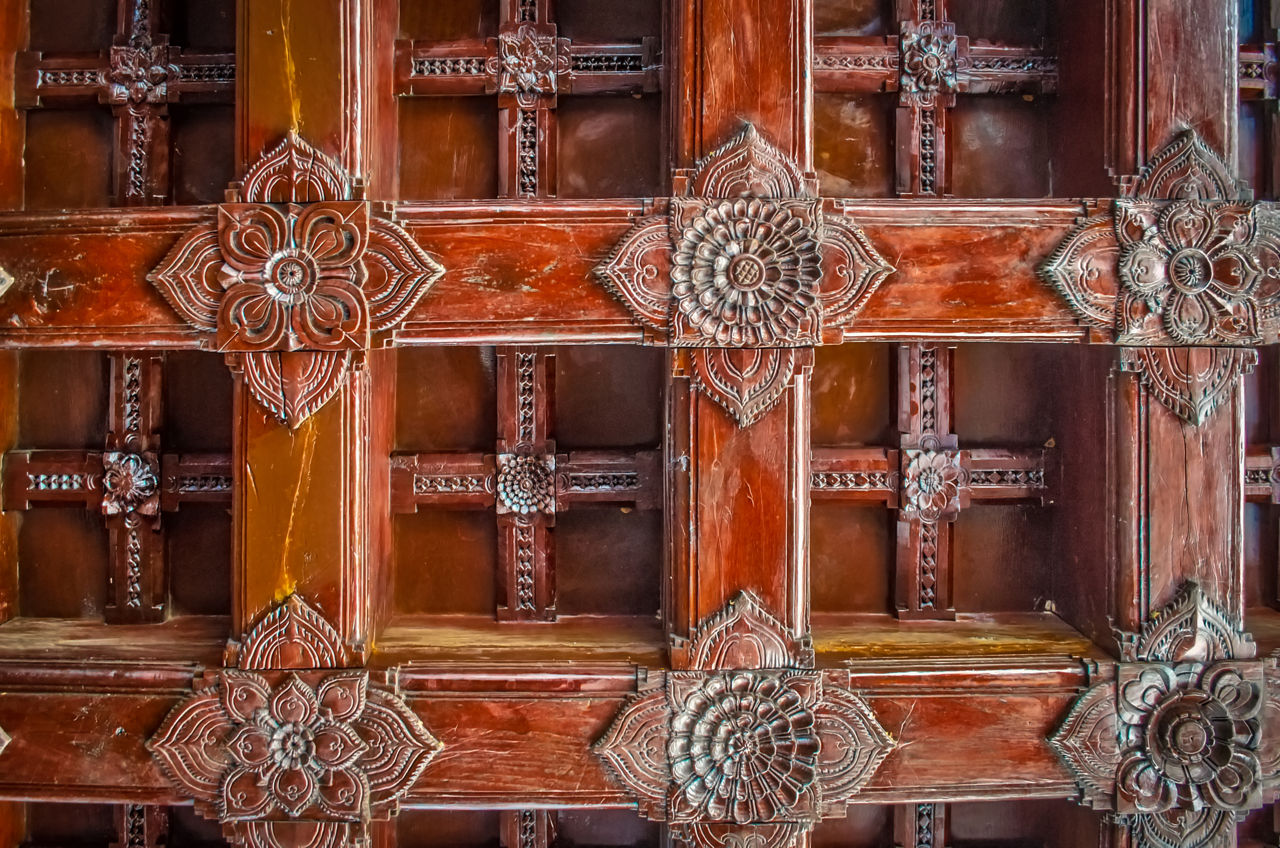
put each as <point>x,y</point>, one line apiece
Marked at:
<point>289,746</point>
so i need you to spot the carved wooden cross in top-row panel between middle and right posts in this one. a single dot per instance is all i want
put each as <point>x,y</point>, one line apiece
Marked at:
<point>927,65</point>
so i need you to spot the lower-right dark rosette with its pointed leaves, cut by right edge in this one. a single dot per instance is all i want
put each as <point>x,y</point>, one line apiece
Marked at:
<point>1173,737</point>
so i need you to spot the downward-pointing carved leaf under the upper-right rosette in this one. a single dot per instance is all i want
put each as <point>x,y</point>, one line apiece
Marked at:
<point>1192,382</point>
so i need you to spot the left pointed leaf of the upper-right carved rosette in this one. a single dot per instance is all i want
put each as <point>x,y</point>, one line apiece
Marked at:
<point>1084,271</point>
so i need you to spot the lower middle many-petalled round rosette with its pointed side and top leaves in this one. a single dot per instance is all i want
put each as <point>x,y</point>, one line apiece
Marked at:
<point>743,746</point>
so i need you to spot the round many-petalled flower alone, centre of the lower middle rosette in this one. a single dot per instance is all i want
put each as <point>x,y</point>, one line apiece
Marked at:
<point>743,749</point>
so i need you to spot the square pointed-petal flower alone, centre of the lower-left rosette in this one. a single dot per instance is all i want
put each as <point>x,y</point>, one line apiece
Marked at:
<point>295,749</point>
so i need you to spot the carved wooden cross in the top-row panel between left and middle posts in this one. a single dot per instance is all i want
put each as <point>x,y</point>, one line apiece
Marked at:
<point>527,66</point>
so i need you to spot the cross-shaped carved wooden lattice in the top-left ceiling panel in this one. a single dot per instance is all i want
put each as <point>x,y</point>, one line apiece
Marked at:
<point>139,77</point>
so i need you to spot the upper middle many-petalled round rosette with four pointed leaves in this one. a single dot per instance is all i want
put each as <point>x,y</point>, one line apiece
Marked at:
<point>744,266</point>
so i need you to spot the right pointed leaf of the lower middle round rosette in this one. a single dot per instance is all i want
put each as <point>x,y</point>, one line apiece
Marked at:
<point>854,745</point>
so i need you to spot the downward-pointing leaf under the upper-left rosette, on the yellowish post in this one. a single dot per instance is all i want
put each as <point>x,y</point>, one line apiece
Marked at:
<point>294,385</point>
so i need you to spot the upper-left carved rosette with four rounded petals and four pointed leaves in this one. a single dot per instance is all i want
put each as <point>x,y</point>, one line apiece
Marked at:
<point>295,279</point>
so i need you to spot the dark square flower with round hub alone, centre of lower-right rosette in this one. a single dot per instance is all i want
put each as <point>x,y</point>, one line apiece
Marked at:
<point>1190,738</point>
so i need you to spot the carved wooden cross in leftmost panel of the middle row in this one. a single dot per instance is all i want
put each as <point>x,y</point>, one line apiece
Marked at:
<point>131,482</point>
